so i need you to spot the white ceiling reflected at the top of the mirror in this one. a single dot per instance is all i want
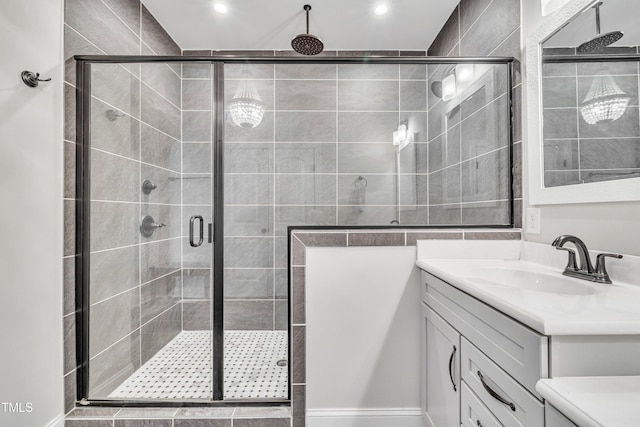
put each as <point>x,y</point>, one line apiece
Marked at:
<point>615,15</point>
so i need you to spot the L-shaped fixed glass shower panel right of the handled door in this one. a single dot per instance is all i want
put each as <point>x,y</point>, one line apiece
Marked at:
<point>345,144</point>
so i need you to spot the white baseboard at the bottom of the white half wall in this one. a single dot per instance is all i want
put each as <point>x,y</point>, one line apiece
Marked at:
<point>386,417</point>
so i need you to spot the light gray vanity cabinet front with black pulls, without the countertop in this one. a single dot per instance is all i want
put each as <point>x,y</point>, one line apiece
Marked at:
<point>480,367</point>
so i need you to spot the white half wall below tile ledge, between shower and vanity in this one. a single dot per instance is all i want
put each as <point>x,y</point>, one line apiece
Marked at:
<point>363,334</point>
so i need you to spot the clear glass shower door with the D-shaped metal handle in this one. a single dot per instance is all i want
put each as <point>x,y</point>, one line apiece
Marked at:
<point>150,176</point>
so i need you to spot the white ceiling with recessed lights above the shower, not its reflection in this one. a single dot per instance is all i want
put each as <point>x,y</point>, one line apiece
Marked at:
<point>271,24</point>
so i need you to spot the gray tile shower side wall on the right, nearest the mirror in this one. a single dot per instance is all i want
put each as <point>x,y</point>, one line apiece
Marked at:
<point>475,28</point>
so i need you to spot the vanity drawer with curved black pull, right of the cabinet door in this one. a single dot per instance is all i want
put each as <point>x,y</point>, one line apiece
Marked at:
<point>485,377</point>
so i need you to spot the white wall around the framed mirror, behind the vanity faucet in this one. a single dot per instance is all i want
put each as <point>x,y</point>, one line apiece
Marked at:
<point>613,227</point>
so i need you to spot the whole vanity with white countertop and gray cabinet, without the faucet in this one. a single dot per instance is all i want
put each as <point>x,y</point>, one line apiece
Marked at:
<point>533,348</point>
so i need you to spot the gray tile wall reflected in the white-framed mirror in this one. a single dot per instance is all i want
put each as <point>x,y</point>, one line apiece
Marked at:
<point>574,150</point>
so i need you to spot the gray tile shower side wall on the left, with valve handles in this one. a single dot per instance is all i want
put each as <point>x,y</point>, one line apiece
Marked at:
<point>136,113</point>
